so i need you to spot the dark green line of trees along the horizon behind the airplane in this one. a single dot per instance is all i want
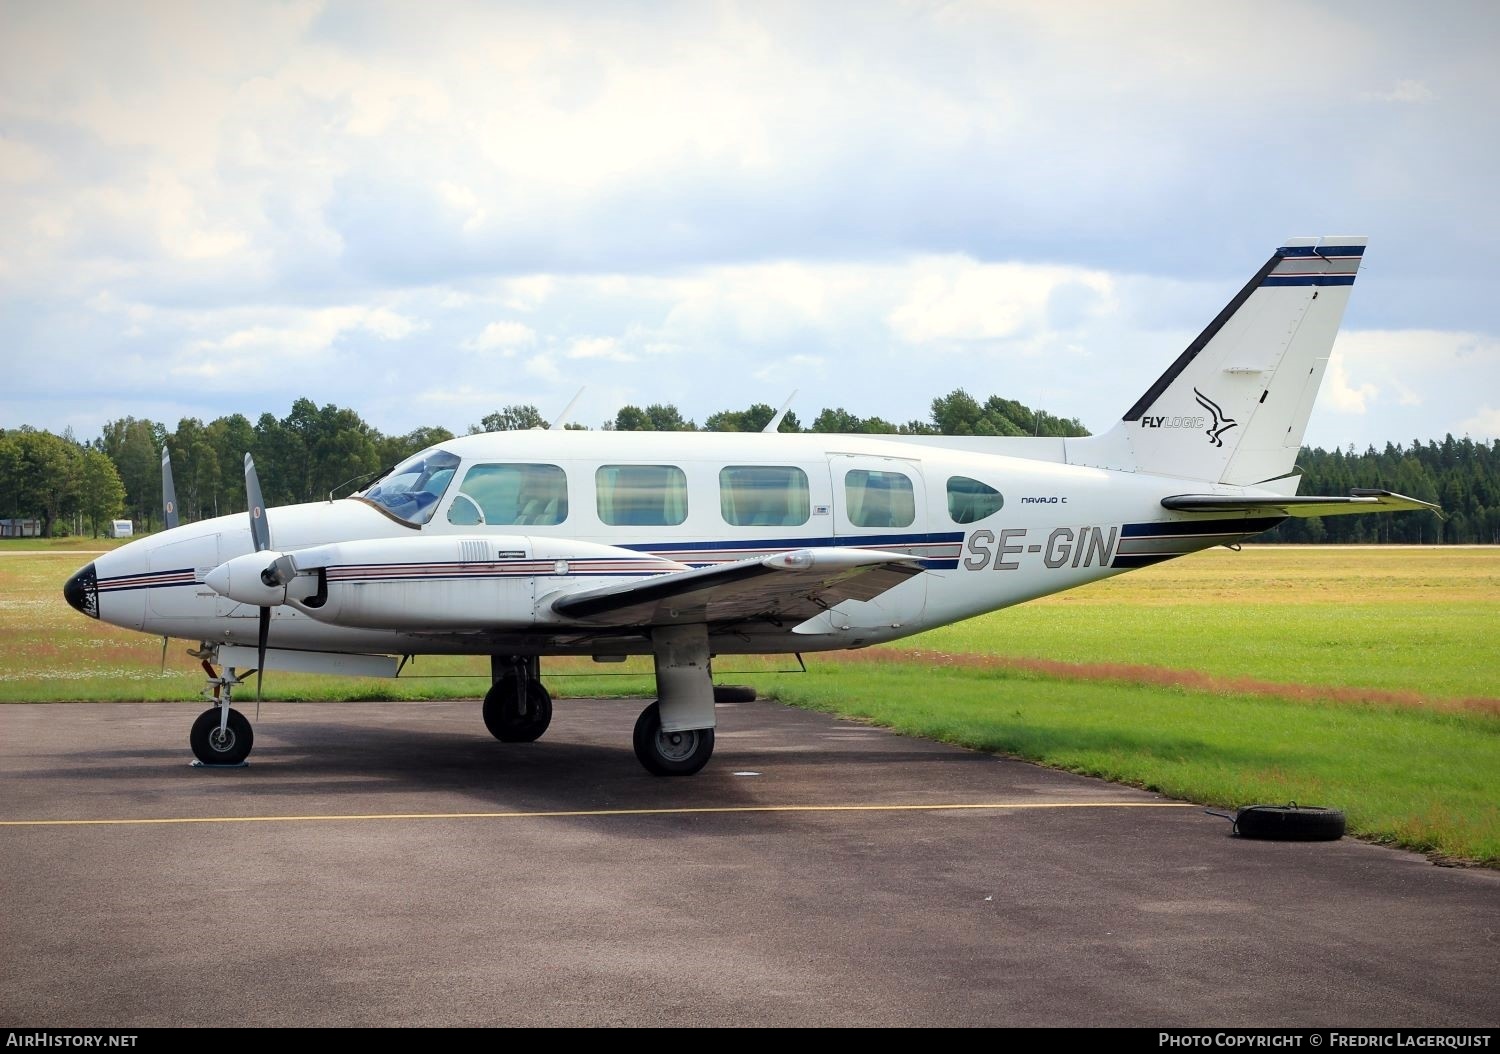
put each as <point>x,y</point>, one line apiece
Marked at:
<point>319,451</point>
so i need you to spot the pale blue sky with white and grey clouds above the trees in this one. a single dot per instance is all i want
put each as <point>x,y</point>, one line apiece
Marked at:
<point>427,212</point>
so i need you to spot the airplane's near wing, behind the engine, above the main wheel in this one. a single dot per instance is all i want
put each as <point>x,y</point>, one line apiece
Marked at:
<point>790,587</point>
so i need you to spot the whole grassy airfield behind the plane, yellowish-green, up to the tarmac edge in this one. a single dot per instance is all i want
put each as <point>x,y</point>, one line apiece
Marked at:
<point>1363,678</point>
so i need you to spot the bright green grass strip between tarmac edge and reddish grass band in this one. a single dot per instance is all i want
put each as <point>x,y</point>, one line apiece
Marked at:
<point>1415,779</point>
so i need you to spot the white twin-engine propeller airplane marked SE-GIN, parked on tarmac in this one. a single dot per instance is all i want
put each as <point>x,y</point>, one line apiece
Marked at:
<point>686,546</point>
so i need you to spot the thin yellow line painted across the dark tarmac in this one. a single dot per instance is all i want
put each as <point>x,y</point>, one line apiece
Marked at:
<point>581,813</point>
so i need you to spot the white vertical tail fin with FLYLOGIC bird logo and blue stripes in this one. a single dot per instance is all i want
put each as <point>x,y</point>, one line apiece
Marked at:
<point>1235,406</point>
